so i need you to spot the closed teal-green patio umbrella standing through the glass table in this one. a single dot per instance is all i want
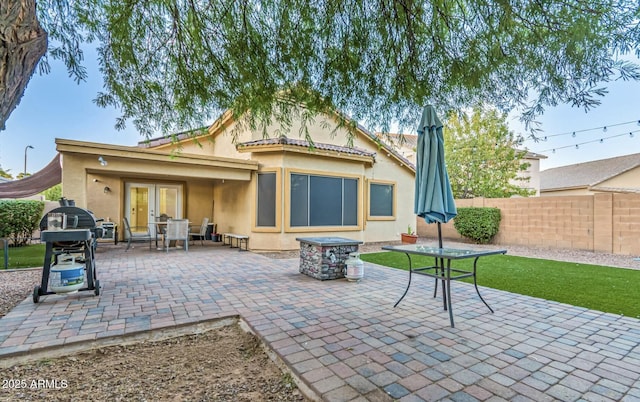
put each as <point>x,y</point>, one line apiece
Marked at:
<point>433,196</point>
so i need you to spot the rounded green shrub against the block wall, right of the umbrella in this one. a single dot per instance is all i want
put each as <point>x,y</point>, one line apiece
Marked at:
<point>478,224</point>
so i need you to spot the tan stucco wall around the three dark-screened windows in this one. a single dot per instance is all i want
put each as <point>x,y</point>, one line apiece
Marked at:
<point>235,208</point>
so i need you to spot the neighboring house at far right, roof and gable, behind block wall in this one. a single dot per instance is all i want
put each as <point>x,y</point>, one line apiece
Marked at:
<point>613,175</point>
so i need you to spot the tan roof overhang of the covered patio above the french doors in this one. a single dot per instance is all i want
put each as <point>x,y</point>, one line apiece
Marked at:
<point>136,162</point>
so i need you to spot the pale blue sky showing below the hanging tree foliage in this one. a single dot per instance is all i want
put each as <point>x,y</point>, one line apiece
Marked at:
<point>55,106</point>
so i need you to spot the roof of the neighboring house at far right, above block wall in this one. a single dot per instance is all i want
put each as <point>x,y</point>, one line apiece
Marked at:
<point>587,174</point>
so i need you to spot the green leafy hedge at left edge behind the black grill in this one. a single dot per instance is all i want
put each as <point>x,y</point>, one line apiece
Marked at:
<point>19,218</point>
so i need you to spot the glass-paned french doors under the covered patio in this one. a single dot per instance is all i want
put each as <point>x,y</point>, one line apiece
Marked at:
<point>145,202</point>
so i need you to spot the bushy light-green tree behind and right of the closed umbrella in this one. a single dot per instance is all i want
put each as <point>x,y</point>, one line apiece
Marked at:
<point>482,156</point>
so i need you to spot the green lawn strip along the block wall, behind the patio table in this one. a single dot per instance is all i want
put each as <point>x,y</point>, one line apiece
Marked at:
<point>612,290</point>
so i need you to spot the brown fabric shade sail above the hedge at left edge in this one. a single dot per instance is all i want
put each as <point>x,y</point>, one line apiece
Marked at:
<point>48,177</point>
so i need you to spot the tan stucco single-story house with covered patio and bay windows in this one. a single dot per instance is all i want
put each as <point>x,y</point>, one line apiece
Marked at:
<point>272,190</point>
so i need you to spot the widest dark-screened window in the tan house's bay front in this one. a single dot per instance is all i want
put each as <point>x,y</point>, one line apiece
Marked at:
<point>323,200</point>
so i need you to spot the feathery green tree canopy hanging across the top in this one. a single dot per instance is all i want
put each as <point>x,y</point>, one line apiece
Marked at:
<point>170,65</point>
